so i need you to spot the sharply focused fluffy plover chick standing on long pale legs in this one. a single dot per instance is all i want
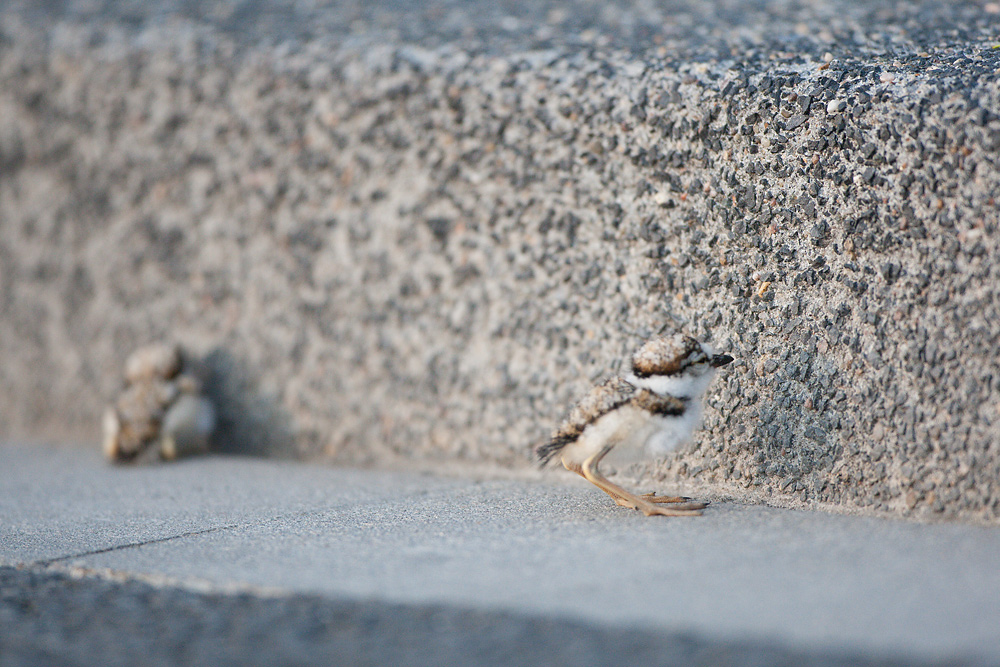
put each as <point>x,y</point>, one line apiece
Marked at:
<point>651,411</point>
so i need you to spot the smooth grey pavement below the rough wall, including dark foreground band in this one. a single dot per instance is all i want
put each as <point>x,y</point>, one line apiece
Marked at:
<point>462,568</point>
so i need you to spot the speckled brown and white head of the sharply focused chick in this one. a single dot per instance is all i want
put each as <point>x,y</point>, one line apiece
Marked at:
<point>676,365</point>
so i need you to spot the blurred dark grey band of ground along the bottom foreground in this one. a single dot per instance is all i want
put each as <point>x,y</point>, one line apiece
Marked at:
<point>52,618</point>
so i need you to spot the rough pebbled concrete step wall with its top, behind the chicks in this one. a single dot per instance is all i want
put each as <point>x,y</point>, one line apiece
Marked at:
<point>420,232</point>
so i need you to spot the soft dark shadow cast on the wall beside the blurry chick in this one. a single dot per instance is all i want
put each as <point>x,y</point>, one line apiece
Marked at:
<point>248,422</point>
